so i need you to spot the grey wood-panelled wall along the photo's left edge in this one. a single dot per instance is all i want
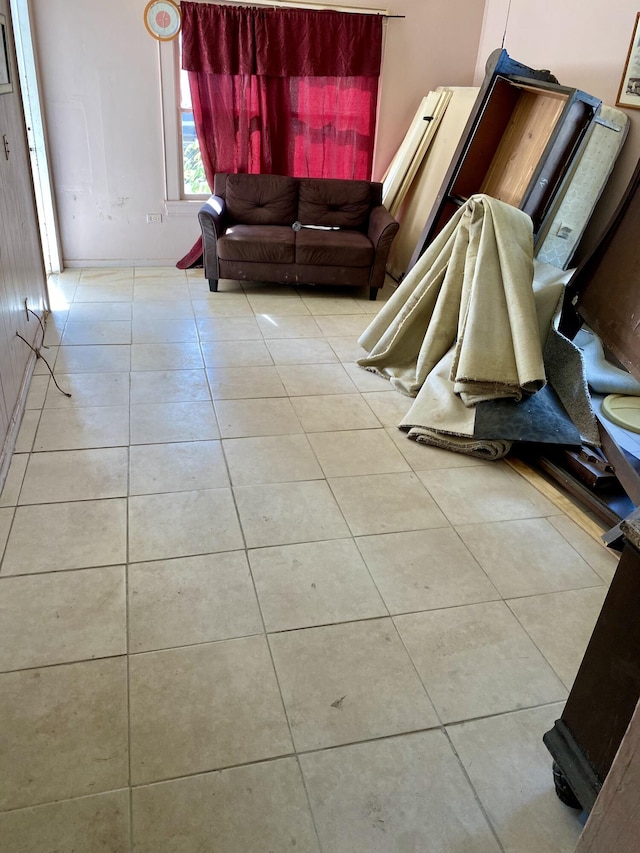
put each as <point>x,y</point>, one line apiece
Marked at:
<point>22,275</point>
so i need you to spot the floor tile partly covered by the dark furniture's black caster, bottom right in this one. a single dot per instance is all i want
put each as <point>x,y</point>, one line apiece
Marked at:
<point>510,769</point>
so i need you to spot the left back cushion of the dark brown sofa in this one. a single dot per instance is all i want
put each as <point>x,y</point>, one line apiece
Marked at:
<point>262,199</point>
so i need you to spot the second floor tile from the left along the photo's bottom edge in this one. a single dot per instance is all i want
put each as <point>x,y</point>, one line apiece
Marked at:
<point>257,807</point>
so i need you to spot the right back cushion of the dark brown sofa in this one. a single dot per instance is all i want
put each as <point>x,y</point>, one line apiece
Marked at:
<point>334,202</point>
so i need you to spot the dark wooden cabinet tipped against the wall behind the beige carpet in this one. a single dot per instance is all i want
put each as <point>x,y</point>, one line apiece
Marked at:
<point>518,146</point>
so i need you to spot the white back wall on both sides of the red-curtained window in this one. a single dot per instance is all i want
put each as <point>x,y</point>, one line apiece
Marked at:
<point>101,90</point>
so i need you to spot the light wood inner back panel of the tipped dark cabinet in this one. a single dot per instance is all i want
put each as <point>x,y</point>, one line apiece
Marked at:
<point>530,127</point>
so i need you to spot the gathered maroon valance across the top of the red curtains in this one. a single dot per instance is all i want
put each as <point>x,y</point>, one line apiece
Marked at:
<point>280,42</point>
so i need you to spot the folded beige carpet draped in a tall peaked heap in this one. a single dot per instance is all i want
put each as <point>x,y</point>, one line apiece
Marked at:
<point>463,327</point>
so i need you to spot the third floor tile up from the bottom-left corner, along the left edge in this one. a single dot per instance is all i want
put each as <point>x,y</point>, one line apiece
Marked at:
<point>62,617</point>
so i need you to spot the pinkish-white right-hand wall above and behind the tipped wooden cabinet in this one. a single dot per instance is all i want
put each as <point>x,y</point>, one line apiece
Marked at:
<point>584,43</point>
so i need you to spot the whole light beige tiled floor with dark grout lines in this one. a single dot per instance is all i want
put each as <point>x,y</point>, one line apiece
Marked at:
<point>241,612</point>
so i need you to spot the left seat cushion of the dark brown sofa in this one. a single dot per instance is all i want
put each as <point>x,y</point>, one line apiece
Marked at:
<point>259,243</point>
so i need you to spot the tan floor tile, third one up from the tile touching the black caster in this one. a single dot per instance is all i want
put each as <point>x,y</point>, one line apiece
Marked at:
<point>386,503</point>
